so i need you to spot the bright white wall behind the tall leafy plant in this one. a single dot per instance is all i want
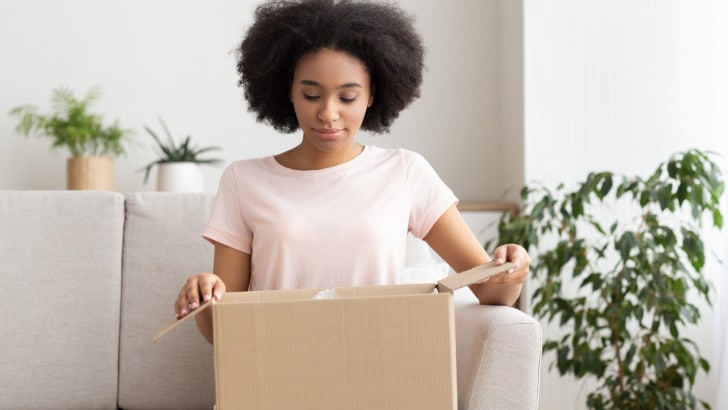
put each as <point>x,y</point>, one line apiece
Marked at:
<point>620,85</point>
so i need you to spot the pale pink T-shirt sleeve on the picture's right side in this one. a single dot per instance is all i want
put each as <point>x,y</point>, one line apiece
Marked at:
<point>431,197</point>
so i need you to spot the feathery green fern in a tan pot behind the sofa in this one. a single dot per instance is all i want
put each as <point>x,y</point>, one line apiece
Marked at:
<point>70,125</point>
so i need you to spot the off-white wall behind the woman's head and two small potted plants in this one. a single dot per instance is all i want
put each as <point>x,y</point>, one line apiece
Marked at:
<point>173,58</point>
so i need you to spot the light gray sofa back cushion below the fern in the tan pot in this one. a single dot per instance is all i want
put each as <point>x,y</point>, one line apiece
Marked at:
<point>61,272</point>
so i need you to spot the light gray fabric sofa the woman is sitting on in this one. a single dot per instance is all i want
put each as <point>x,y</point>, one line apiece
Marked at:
<point>88,277</point>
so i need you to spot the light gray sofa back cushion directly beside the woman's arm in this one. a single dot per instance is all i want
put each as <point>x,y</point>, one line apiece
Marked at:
<point>163,246</point>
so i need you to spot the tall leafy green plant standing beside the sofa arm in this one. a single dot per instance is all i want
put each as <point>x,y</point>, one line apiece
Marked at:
<point>618,266</point>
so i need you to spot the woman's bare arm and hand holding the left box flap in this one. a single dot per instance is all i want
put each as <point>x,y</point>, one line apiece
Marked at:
<point>231,274</point>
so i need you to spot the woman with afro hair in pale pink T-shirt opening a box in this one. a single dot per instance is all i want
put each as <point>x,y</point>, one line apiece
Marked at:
<point>331,212</point>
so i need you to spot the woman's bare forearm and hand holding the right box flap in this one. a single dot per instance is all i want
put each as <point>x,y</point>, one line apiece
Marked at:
<point>456,244</point>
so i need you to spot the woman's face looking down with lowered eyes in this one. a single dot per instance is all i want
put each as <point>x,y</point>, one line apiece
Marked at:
<point>330,93</point>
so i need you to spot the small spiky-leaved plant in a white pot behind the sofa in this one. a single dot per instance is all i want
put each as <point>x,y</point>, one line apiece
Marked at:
<point>178,164</point>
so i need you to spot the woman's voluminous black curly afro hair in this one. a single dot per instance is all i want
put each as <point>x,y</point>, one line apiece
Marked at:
<point>381,35</point>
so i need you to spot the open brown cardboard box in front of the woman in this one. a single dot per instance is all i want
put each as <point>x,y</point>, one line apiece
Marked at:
<point>378,347</point>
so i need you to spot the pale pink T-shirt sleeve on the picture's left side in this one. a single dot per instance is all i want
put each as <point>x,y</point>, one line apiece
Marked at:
<point>227,225</point>
